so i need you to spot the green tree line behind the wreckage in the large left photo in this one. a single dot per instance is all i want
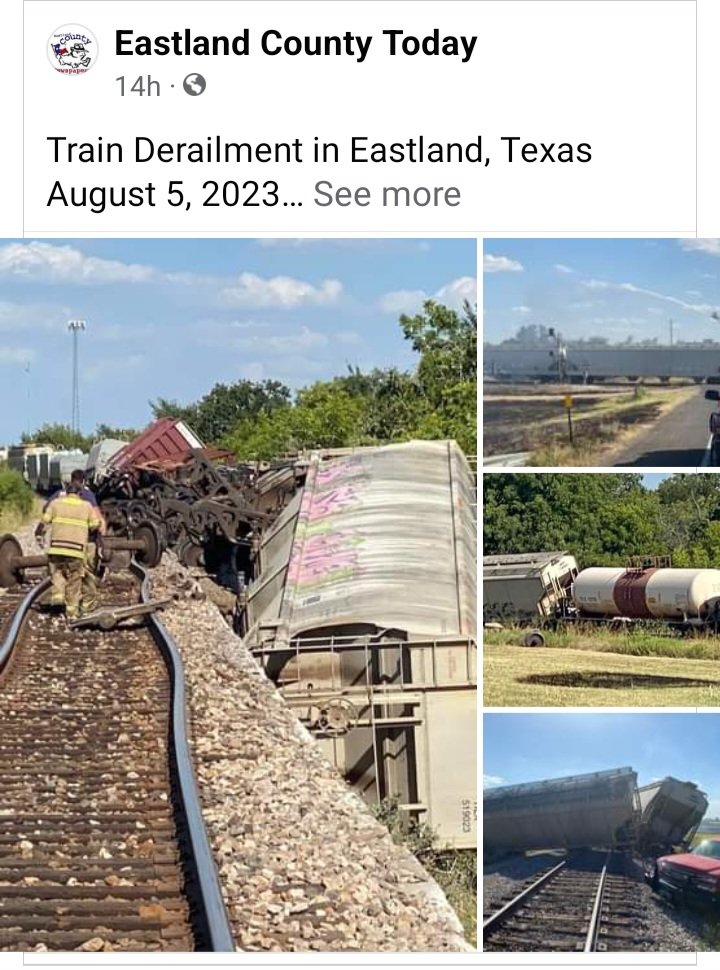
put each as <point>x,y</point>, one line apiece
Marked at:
<point>263,419</point>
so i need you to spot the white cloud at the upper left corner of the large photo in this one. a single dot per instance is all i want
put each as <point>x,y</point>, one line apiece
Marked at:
<point>48,263</point>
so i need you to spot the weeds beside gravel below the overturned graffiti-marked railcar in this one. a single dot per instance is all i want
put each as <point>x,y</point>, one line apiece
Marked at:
<point>454,871</point>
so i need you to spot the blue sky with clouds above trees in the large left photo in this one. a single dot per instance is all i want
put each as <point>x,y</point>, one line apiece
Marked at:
<point>171,317</point>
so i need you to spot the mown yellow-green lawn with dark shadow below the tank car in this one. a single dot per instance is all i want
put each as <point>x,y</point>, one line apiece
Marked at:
<point>570,677</point>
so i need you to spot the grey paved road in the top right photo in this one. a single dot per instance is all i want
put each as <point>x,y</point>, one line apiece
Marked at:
<point>679,439</point>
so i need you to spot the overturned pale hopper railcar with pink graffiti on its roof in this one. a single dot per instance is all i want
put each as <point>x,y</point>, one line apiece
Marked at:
<point>364,614</point>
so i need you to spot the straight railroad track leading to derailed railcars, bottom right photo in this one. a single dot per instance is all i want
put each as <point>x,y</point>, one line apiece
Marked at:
<point>586,903</point>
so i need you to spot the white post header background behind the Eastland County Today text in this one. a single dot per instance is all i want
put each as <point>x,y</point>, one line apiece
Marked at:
<point>620,75</point>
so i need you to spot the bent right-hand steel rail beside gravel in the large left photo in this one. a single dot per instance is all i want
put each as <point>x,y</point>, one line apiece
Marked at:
<point>202,877</point>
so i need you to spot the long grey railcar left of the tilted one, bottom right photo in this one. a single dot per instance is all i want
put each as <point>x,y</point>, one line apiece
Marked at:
<point>596,809</point>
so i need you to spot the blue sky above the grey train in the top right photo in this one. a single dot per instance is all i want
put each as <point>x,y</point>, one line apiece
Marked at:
<point>615,288</point>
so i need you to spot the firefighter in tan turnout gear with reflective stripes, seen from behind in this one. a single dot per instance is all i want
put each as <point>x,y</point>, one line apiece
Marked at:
<point>71,519</point>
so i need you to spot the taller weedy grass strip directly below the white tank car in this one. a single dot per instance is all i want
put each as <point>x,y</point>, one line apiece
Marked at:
<point>637,643</point>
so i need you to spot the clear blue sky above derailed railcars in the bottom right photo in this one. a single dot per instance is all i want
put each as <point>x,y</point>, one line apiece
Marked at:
<point>528,747</point>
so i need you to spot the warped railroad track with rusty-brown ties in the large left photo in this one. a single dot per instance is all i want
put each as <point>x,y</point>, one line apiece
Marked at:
<point>102,844</point>
